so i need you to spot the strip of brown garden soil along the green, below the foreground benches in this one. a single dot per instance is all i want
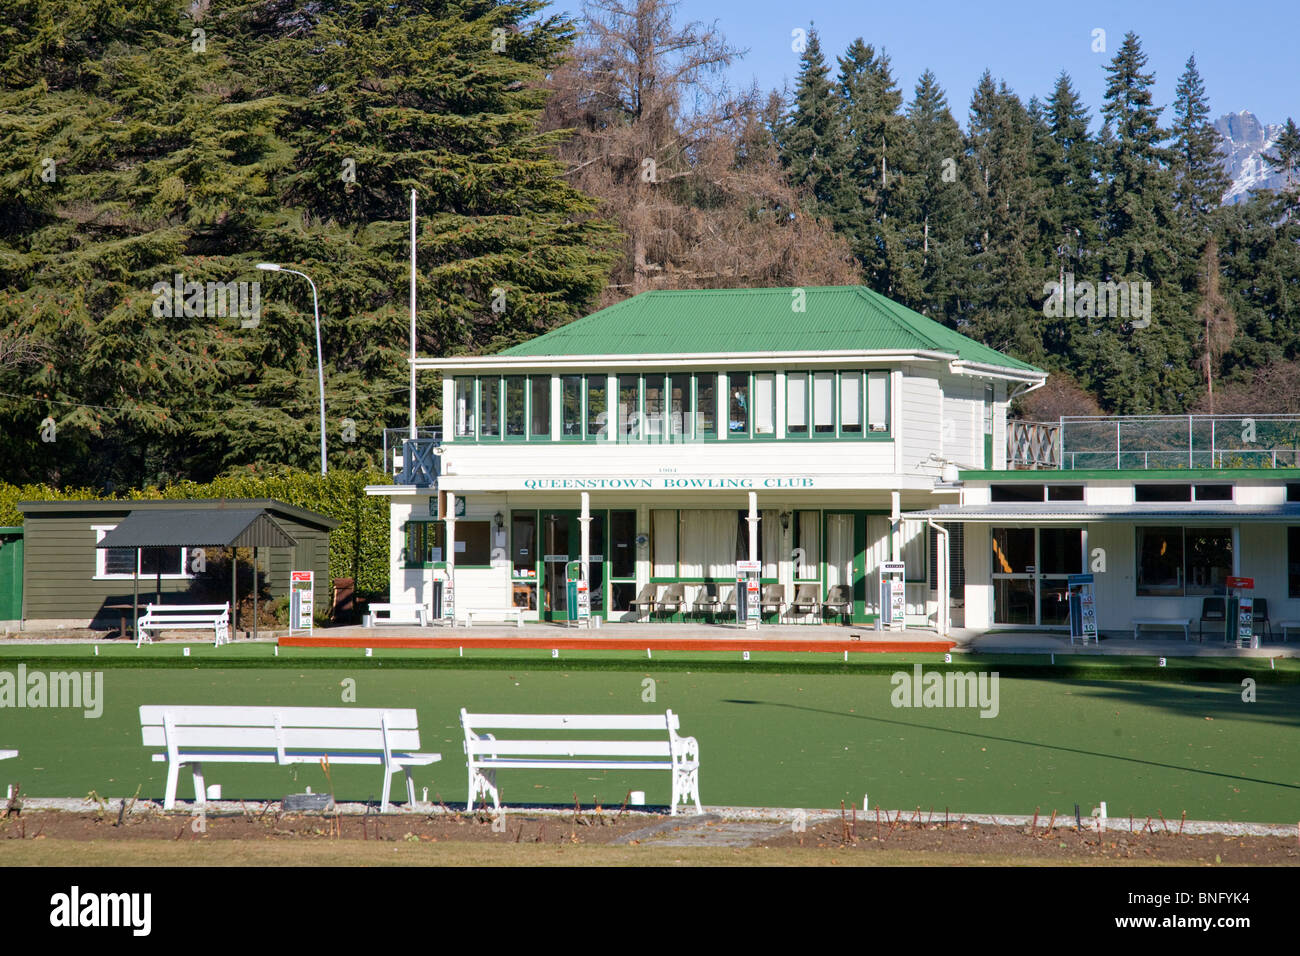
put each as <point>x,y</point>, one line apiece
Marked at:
<point>918,837</point>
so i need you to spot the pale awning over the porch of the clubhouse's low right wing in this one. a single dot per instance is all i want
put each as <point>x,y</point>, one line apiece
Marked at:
<point>1078,513</point>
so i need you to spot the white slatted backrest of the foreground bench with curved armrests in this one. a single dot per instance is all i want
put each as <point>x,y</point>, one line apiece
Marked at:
<point>666,725</point>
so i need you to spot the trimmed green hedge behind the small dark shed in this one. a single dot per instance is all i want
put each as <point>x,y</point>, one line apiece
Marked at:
<point>358,548</point>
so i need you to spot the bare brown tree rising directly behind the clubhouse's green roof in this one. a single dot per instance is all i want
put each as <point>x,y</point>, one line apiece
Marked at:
<point>687,168</point>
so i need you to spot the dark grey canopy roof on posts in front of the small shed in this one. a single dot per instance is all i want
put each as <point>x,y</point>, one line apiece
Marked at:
<point>198,529</point>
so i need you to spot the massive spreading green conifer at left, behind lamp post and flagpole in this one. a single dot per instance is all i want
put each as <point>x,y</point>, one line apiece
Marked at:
<point>248,133</point>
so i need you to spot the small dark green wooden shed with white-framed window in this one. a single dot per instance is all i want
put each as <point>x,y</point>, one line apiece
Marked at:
<point>76,576</point>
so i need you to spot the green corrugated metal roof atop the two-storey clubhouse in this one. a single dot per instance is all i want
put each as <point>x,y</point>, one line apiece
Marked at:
<point>759,321</point>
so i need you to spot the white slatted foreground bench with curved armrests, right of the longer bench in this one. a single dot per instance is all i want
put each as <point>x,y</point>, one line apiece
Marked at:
<point>486,755</point>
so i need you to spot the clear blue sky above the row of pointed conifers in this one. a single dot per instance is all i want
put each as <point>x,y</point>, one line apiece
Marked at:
<point>1246,54</point>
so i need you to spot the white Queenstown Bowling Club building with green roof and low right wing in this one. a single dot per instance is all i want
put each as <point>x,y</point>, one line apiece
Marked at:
<point>821,432</point>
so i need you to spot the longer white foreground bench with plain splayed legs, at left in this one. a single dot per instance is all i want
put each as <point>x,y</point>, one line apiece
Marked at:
<point>198,736</point>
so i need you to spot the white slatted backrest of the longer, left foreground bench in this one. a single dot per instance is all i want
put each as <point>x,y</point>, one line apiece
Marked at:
<point>280,729</point>
